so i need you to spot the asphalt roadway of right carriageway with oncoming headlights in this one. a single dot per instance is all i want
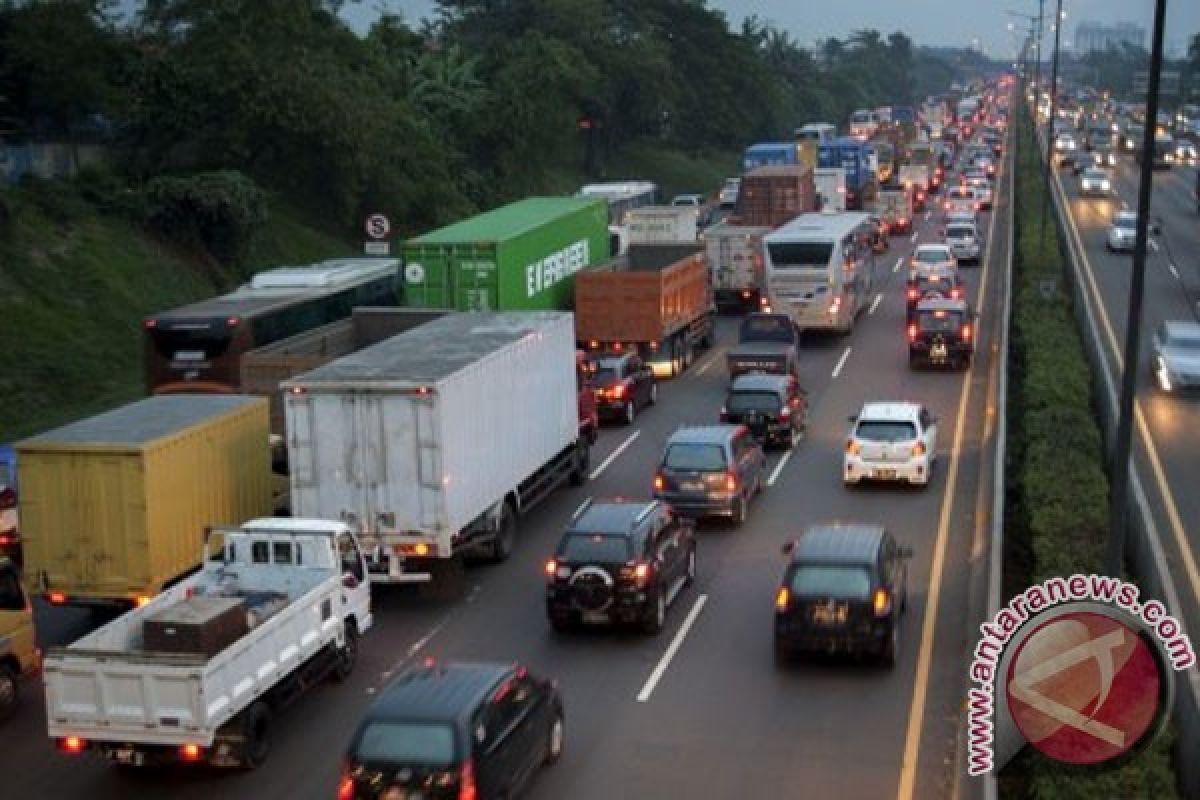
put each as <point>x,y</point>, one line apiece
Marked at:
<point>1166,435</point>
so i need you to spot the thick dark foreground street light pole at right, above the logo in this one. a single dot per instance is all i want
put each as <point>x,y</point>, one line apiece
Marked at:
<point>1121,466</point>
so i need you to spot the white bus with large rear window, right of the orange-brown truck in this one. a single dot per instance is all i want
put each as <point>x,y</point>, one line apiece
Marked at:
<point>820,269</point>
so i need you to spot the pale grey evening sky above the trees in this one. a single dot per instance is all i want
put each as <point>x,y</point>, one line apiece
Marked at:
<point>965,23</point>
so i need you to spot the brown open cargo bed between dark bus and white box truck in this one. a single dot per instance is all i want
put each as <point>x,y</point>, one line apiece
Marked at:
<point>265,369</point>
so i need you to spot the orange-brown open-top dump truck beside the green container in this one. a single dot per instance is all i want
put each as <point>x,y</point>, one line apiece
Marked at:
<point>657,300</point>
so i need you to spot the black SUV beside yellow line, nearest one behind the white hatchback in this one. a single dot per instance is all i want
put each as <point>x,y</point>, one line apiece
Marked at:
<point>844,591</point>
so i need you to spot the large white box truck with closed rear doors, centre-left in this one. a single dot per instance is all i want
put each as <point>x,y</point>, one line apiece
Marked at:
<point>434,443</point>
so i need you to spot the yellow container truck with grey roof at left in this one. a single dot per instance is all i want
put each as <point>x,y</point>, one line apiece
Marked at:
<point>115,507</point>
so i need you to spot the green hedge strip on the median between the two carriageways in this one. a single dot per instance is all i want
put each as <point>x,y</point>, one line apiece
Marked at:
<point>1058,506</point>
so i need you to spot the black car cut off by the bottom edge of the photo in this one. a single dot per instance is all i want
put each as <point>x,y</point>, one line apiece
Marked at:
<point>453,731</point>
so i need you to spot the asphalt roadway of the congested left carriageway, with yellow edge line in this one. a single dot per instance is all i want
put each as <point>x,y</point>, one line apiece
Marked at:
<point>700,711</point>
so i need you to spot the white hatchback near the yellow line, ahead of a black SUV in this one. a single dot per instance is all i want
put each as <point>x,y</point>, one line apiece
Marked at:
<point>891,442</point>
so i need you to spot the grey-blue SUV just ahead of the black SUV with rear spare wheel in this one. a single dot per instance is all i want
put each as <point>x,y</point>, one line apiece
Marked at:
<point>711,471</point>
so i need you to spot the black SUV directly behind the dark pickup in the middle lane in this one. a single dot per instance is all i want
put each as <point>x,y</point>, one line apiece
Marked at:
<point>773,407</point>
